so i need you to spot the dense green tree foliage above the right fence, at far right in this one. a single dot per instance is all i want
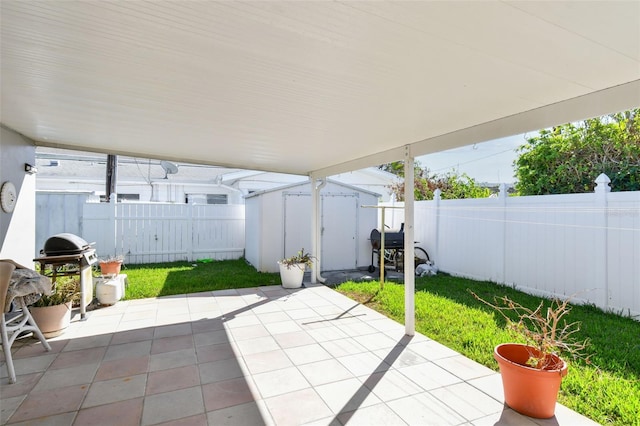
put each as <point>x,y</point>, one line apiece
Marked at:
<point>569,158</point>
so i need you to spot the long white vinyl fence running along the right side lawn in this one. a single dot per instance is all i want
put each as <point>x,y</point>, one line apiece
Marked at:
<point>581,245</point>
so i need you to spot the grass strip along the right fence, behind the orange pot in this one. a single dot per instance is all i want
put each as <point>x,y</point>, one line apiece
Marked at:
<point>607,390</point>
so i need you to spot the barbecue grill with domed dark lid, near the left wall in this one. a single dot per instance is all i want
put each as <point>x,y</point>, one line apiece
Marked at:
<point>68,255</point>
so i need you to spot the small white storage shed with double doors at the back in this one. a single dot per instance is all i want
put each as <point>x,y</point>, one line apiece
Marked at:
<point>277,225</point>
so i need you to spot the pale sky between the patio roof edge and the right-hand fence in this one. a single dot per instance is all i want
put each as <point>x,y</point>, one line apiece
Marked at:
<point>486,162</point>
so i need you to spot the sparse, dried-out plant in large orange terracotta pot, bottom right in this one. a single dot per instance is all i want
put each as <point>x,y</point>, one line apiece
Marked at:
<point>532,372</point>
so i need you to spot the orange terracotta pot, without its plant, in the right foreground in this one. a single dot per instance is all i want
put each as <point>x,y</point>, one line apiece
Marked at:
<point>527,390</point>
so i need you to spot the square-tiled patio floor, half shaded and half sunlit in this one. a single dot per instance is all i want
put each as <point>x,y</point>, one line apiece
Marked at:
<point>254,356</point>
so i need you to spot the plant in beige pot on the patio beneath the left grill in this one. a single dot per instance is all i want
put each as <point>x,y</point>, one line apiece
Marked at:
<point>52,312</point>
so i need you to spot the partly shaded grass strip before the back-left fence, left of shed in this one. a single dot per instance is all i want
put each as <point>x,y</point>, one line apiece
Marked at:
<point>165,279</point>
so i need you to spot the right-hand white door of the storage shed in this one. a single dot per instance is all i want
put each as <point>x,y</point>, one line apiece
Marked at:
<point>339,232</point>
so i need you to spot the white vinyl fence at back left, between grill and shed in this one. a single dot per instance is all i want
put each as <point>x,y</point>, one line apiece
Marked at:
<point>146,232</point>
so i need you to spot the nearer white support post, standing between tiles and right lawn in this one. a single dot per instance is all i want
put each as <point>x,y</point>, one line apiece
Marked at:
<point>409,265</point>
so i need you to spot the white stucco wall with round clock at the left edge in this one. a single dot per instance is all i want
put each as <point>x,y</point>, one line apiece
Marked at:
<point>17,229</point>
